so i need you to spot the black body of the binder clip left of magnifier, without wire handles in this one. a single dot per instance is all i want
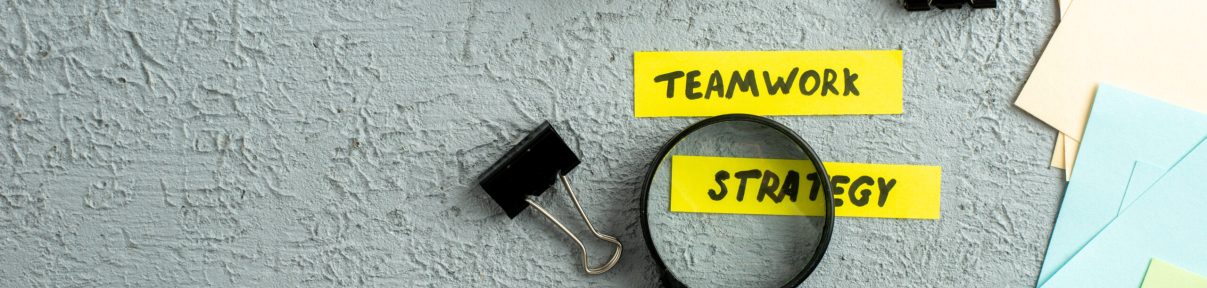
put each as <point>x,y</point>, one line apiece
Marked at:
<point>528,169</point>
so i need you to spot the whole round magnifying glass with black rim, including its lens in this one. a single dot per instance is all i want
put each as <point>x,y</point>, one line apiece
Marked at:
<point>731,242</point>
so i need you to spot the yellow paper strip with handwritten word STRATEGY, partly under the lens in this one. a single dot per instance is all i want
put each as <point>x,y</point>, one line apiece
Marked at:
<point>784,187</point>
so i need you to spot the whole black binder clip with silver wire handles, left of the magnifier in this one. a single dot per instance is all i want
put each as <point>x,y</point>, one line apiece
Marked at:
<point>532,168</point>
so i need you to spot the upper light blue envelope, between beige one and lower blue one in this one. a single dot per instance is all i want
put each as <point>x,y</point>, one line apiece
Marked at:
<point>1124,128</point>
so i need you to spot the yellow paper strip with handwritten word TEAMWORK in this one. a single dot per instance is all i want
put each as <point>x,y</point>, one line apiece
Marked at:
<point>767,83</point>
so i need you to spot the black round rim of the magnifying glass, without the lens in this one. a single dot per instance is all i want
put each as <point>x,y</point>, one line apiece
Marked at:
<point>668,279</point>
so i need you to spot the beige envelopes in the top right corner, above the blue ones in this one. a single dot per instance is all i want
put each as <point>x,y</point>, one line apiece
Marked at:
<point>1158,50</point>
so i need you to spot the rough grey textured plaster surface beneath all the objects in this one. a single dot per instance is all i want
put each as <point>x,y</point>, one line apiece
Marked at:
<point>289,144</point>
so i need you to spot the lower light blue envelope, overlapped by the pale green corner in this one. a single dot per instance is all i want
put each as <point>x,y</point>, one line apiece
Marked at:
<point>1168,222</point>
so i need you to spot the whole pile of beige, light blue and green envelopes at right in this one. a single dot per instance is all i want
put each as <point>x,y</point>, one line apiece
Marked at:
<point>1126,85</point>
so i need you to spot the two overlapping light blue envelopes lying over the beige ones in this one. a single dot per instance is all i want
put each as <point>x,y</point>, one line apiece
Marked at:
<point>1140,192</point>
